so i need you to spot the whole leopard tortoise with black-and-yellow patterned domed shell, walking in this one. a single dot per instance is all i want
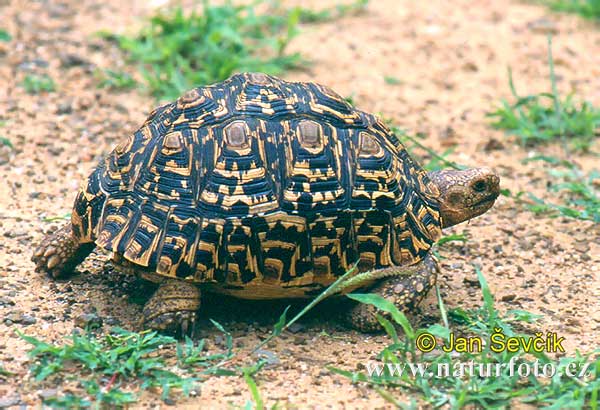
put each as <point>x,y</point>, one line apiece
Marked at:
<point>261,188</point>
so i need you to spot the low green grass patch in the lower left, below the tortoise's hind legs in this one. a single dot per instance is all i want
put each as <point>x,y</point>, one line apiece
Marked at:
<point>111,368</point>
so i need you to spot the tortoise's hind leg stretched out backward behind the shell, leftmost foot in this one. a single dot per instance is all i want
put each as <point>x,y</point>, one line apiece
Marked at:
<point>60,252</point>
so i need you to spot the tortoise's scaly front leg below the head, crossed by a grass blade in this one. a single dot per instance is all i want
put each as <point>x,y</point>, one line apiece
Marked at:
<point>406,292</point>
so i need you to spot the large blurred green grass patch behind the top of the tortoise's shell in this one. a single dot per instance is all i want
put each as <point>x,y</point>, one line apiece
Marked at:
<point>178,51</point>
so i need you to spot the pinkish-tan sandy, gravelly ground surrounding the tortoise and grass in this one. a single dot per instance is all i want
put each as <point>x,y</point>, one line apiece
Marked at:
<point>451,58</point>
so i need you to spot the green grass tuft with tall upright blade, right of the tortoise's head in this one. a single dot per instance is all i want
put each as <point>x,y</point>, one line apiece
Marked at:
<point>547,117</point>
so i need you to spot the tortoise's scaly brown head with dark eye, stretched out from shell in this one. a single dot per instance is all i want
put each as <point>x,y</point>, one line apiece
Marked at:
<point>465,194</point>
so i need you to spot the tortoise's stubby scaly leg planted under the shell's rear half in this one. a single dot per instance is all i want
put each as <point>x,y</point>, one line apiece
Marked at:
<point>172,308</point>
